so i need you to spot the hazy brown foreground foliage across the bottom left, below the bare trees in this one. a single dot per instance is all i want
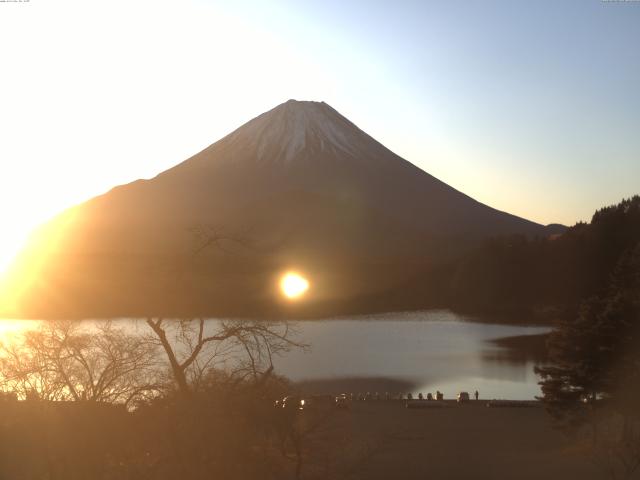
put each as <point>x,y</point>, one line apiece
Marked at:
<point>227,430</point>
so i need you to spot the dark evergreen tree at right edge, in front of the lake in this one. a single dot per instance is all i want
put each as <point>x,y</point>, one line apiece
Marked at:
<point>592,385</point>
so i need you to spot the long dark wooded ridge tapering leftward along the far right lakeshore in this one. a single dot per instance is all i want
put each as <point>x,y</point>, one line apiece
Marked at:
<point>517,278</point>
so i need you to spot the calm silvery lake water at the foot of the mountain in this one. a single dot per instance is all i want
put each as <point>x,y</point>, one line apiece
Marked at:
<point>427,351</point>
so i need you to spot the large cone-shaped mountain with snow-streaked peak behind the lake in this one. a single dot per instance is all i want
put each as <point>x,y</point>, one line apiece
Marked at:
<point>298,187</point>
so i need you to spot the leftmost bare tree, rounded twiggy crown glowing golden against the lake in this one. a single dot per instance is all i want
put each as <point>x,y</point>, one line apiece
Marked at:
<point>64,360</point>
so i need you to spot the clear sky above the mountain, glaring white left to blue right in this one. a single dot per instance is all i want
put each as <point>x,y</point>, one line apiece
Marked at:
<point>529,107</point>
